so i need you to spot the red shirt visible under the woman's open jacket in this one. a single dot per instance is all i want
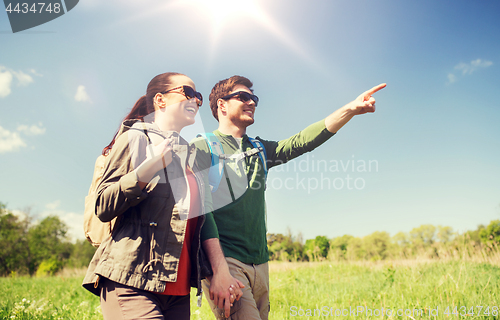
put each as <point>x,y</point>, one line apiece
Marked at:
<point>181,287</point>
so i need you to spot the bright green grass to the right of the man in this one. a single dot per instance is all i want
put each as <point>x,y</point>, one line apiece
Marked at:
<point>337,286</point>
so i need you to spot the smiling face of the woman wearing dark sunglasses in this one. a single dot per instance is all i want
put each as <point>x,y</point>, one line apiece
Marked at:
<point>174,107</point>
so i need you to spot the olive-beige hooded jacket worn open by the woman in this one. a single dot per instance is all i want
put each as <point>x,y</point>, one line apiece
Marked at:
<point>145,246</point>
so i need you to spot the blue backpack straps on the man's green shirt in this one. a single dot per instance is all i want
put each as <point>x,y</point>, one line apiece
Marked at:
<point>217,166</point>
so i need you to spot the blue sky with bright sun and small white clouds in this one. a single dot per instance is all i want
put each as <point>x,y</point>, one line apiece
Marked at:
<point>433,142</point>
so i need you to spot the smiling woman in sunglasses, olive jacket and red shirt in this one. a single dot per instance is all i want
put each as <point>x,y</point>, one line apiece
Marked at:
<point>146,267</point>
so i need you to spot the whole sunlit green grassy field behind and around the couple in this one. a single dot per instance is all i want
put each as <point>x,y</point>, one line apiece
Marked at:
<point>437,289</point>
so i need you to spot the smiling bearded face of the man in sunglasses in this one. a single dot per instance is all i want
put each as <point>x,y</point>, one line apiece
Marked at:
<point>237,112</point>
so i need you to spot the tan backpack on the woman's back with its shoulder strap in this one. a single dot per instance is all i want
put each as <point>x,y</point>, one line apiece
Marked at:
<point>95,230</point>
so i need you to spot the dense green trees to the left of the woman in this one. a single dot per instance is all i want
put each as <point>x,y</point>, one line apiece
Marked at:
<point>38,247</point>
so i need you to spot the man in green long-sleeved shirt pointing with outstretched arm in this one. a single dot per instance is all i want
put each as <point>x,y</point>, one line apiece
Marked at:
<point>239,199</point>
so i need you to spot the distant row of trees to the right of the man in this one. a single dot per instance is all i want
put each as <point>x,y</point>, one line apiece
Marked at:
<point>426,241</point>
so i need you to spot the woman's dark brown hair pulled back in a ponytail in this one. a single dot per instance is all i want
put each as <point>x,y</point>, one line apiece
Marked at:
<point>144,106</point>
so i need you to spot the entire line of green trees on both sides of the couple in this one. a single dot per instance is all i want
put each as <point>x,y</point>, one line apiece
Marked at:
<point>44,248</point>
